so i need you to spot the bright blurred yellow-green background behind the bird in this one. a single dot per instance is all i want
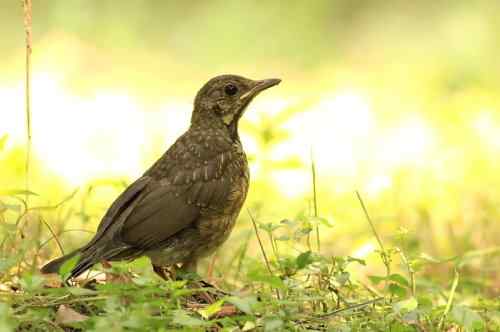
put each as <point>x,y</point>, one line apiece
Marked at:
<point>396,99</point>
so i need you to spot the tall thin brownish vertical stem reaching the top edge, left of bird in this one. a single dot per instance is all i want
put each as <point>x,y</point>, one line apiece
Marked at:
<point>27,29</point>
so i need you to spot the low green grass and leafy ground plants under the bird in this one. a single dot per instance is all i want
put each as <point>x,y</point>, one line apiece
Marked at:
<point>287,288</point>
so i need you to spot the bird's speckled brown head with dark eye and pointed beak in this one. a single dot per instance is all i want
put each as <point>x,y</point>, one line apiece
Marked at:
<point>224,98</point>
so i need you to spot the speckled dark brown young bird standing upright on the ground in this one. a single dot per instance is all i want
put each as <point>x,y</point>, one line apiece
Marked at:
<point>186,204</point>
